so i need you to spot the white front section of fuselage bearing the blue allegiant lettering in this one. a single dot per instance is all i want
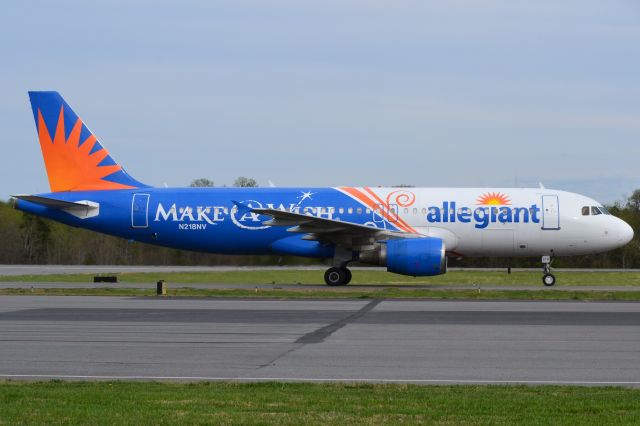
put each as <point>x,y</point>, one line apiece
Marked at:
<point>508,221</point>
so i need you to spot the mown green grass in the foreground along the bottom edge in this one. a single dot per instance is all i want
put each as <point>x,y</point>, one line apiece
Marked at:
<point>99,403</point>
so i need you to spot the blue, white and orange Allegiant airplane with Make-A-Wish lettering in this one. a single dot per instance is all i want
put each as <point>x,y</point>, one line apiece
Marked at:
<point>410,231</point>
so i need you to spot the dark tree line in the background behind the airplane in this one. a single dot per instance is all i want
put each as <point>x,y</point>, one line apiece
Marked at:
<point>29,239</point>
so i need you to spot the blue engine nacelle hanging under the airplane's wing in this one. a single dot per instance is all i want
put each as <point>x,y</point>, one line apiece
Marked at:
<point>419,257</point>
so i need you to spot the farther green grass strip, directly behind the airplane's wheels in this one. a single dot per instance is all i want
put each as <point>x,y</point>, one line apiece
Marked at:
<point>293,276</point>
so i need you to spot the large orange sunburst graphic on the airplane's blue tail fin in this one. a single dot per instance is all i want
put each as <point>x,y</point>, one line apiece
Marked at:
<point>71,166</point>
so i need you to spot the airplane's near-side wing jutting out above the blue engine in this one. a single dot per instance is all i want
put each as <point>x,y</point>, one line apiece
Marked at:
<point>346,234</point>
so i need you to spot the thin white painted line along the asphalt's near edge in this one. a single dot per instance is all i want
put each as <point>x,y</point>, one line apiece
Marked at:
<point>305,379</point>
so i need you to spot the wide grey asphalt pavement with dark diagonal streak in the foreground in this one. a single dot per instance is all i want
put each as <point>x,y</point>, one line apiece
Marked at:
<point>340,340</point>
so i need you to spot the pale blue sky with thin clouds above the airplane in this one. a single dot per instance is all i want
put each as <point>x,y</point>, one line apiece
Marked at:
<point>334,92</point>
